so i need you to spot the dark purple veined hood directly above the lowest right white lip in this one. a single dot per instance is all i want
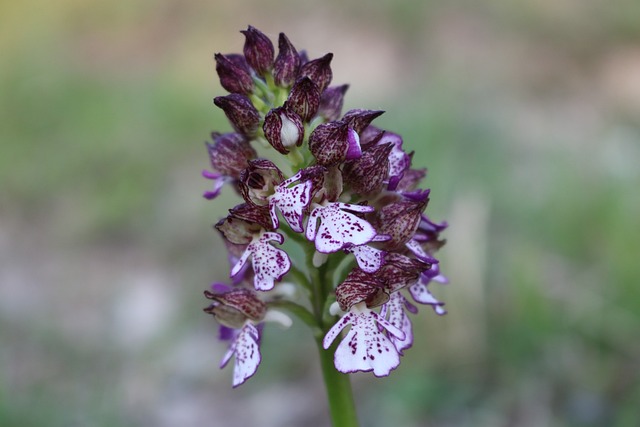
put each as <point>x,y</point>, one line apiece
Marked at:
<point>360,286</point>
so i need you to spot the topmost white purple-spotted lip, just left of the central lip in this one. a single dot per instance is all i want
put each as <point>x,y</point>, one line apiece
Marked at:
<point>291,201</point>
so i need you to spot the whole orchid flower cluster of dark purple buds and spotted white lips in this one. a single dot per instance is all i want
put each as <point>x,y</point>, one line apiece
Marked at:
<point>335,210</point>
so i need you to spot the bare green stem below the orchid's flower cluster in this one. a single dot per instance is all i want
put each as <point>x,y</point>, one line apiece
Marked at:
<point>341,404</point>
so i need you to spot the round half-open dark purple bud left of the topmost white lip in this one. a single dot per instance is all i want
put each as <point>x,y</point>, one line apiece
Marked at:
<point>258,181</point>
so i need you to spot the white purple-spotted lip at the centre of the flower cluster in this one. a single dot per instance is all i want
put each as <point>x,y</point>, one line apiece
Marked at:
<point>338,228</point>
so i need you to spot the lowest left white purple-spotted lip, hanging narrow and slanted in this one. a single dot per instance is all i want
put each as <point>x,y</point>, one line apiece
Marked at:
<point>246,350</point>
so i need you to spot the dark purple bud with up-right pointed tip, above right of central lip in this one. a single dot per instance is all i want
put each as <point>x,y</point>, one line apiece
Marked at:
<point>366,174</point>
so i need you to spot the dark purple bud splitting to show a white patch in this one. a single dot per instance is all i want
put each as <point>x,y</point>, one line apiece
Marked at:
<point>283,128</point>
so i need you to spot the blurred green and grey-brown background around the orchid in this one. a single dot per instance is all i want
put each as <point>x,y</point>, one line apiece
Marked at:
<point>526,113</point>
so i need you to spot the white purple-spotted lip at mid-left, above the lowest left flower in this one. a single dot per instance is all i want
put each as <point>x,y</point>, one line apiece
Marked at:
<point>269,263</point>
